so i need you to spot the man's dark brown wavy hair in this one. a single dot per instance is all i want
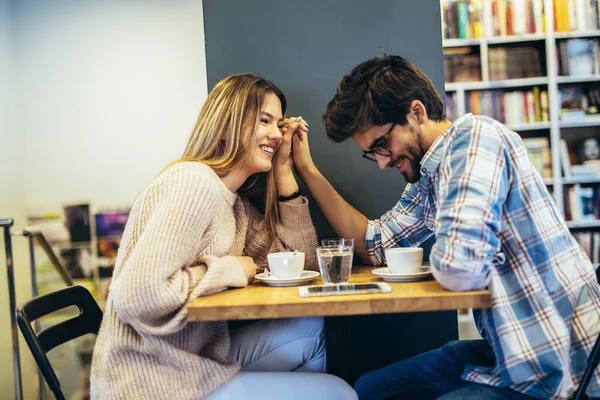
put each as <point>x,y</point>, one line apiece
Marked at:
<point>376,92</point>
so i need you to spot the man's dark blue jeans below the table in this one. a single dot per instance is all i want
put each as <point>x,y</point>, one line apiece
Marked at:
<point>434,375</point>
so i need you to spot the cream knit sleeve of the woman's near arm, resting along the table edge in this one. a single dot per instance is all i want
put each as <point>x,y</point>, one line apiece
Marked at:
<point>158,278</point>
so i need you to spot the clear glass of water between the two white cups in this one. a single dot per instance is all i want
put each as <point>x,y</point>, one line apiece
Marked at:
<point>335,263</point>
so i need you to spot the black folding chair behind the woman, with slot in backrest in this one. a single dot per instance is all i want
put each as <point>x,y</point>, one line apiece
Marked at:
<point>88,321</point>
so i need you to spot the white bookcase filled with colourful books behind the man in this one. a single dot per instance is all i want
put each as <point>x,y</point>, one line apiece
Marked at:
<point>495,36</point>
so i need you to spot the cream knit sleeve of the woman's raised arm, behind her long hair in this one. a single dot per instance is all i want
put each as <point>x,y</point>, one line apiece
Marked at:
<point>294,231</point>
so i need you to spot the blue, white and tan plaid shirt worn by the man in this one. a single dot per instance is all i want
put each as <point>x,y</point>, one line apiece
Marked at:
<point>497,226</point>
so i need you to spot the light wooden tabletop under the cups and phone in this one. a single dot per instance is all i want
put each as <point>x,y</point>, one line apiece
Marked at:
<point>259,301</point>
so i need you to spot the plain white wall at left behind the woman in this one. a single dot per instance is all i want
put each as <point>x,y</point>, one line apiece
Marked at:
<point>105,94</point>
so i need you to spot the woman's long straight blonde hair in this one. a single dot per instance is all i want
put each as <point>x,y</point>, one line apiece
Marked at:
<point>231,111</point>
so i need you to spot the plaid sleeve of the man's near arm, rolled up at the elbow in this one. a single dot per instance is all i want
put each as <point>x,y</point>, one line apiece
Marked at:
<point>470,206</point>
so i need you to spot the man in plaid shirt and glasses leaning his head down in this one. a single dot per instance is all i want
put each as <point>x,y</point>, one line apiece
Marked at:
<point>496,226</point>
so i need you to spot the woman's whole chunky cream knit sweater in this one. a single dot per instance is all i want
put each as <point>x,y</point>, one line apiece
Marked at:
<point>179,243</point>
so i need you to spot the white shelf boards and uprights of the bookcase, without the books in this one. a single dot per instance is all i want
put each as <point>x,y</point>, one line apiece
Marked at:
<point>551,81</point>
